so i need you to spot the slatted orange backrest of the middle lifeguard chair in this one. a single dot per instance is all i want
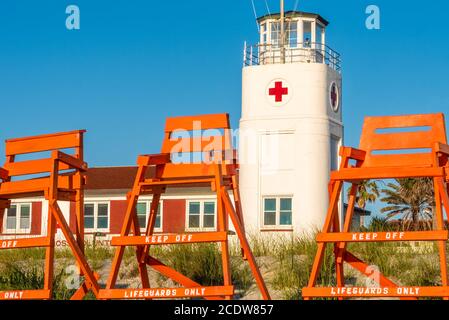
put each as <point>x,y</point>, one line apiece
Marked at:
<point>208,135</point>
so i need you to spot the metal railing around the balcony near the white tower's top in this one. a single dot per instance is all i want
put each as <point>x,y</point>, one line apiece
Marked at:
<point>264,54</point>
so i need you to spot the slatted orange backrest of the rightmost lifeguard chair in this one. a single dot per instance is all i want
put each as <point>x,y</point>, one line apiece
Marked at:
<point>402,140</point>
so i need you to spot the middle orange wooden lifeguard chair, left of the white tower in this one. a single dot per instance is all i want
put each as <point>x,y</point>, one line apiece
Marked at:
<point>156,173</point>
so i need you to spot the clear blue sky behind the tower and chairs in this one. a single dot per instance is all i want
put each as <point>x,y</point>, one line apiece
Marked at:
<point>133,63</point>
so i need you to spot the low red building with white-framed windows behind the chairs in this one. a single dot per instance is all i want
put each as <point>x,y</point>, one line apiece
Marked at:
<point>181,210</point>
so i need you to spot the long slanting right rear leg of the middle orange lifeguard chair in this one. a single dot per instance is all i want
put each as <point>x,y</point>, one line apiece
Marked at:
<point>245,244</point>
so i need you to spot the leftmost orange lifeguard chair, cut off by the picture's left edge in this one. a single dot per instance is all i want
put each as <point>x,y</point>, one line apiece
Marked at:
<point>61,179</point>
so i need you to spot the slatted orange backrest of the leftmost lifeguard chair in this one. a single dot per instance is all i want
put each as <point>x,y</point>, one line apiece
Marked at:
<point>42,143</point>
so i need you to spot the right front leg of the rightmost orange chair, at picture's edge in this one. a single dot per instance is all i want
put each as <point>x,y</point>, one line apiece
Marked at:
<point>440,194</point>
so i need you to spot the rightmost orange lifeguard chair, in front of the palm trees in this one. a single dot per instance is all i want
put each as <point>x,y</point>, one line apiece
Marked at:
<point>380,157</point>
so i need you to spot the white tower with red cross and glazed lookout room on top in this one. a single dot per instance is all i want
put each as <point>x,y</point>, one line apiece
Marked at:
<point>291,126</point>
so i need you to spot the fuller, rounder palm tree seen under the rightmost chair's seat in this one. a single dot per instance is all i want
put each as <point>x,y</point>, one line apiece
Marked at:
<point>409,200</point>
